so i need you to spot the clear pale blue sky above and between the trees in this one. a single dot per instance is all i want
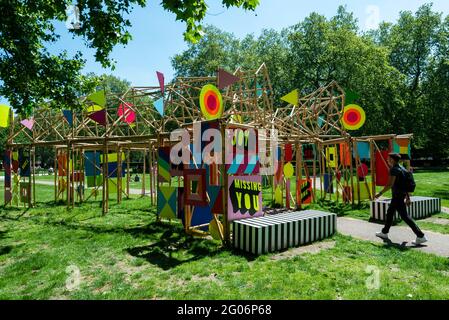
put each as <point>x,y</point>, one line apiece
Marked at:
<point>157,36</point>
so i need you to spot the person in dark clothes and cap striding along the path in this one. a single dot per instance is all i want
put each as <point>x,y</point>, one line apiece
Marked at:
<point>400,198</point>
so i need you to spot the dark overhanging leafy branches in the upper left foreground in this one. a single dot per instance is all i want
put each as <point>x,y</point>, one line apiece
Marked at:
<point>30,75</point>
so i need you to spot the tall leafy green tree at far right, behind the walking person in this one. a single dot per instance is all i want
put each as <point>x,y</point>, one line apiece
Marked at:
<point>417,46</point>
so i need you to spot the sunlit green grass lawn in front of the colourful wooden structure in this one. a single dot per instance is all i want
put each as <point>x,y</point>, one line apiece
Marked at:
<point>127,254</point>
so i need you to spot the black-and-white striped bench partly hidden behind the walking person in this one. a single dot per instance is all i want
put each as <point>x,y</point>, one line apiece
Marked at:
<point>420,208</point>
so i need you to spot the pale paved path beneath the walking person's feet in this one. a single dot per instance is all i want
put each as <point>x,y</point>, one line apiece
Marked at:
<point>400,236</point>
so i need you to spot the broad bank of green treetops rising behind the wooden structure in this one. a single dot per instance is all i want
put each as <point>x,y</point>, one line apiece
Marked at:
<point>400,71</point>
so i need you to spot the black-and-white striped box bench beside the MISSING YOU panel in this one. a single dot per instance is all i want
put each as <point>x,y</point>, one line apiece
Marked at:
<point>282,231</point>
